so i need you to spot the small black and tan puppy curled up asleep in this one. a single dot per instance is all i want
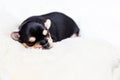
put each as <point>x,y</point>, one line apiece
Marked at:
<point>41,31</point>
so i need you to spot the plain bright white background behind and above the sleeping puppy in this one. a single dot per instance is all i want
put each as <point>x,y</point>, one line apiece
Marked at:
<point>97,18</point>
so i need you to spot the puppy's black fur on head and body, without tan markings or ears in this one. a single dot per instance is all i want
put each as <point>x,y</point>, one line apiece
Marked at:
<point>61,28</point>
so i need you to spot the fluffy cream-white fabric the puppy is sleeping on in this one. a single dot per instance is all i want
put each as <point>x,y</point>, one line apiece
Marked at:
<point>70,59</point>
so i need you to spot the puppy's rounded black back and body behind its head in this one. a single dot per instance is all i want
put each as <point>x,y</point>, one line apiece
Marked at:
<point>62,26</point>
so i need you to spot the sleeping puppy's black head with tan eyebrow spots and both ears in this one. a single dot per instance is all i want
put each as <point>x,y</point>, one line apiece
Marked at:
<point>34,34</point>
